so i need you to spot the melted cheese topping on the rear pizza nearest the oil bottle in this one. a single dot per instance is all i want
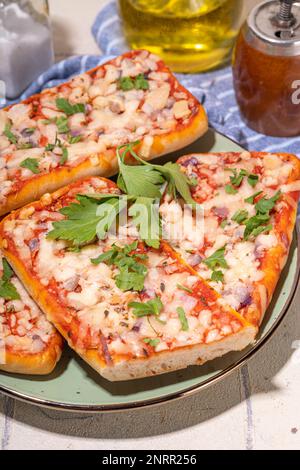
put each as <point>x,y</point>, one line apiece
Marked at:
<point>112,117</point>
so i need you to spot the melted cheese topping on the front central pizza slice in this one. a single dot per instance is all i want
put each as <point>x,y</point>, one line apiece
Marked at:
<point>105,321</point>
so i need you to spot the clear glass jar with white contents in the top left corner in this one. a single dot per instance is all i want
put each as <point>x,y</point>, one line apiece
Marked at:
<point>26,48</point>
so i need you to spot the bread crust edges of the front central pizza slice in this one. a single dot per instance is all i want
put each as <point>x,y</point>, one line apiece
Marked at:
<point>125,367</point>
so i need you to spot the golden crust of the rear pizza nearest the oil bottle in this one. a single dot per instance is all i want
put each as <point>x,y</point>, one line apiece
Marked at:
<point>105,163</point>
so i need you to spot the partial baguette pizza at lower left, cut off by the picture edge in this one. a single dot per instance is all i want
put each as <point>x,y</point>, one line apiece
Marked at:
<point>29,344</point>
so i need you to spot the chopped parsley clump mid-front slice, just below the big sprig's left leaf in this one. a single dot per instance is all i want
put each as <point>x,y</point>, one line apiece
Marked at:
<point>132,273</point>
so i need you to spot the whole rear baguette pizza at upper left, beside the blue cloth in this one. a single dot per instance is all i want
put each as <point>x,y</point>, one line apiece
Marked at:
<point>72,131</point>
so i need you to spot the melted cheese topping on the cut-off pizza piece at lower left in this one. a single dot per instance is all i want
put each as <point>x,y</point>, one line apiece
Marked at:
<point>23,326</point>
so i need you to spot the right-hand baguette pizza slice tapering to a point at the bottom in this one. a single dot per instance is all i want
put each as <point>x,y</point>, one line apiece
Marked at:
<point>249,203</point>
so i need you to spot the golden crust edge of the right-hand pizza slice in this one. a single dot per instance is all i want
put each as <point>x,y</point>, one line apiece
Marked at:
<point>273,259</point>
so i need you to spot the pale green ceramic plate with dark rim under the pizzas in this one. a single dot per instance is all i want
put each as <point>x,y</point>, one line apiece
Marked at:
<point>75,386</point>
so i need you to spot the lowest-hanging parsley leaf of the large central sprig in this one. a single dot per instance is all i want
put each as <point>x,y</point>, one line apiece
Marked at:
<point>145,216</point>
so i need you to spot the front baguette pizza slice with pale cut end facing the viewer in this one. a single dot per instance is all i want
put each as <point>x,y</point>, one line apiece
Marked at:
<point>128,309</point>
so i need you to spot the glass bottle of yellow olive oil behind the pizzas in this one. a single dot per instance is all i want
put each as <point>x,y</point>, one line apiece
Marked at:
<point>190,35</point>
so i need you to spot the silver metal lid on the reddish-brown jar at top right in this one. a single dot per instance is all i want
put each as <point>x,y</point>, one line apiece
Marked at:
<point>273,27</point>
